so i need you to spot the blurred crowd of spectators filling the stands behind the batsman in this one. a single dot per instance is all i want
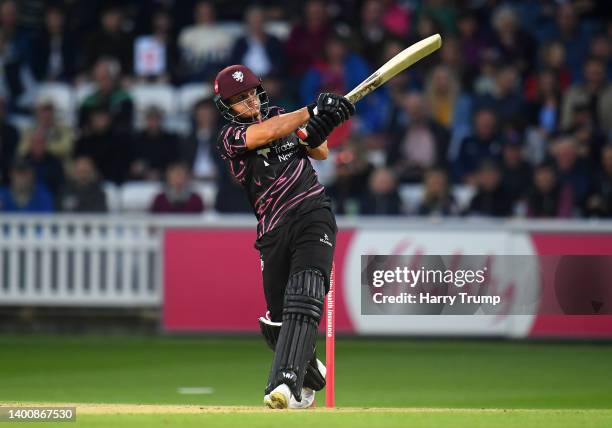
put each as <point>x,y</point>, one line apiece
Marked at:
<point>103,103</point>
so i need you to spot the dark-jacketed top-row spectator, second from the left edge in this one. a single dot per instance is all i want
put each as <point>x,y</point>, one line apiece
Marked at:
<point>55,49</point>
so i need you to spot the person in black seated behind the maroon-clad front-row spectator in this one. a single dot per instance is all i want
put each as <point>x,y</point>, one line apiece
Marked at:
<point>153,149</point>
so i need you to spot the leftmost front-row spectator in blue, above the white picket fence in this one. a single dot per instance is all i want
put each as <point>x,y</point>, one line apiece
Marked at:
<point>25,195</point>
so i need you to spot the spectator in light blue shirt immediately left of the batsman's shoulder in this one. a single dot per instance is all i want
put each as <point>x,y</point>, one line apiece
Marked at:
<point>197,150</point>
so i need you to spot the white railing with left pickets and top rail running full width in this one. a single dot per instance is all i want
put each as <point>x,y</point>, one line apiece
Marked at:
<point>116,260</point>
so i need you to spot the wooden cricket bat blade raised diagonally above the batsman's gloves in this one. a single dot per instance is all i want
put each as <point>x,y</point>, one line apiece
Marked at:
<point>394,66</point>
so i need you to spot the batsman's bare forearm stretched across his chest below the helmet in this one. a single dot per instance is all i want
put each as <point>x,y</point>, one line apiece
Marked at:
<point>274,128</point>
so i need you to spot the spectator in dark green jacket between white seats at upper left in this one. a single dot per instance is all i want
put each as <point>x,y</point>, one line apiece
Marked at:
<point>109,96</point>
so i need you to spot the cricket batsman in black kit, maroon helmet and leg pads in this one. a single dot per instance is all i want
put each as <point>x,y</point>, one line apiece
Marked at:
<point>296,229</point>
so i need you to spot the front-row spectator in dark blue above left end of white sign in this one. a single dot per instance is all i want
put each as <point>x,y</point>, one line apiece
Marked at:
<point>382,197</point>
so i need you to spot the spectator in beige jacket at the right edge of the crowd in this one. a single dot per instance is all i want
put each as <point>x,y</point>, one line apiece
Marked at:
<point>595,92</point>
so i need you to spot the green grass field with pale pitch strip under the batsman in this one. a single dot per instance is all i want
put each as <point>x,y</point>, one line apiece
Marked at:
<point>378,383</point>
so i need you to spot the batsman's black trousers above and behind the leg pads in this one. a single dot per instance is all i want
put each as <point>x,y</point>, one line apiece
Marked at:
<point>306,241</point>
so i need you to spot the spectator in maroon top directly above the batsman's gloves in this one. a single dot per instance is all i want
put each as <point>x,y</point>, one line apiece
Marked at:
<point>308,38</point>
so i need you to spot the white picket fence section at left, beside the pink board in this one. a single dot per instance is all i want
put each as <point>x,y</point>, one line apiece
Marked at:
<point>79,261</point>
